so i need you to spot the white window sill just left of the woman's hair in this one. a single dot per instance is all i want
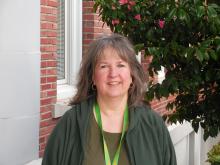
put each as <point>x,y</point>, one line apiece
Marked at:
<point>64,94</point>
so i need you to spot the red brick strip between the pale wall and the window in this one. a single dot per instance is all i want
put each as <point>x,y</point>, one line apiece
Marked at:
<point>48,69</point>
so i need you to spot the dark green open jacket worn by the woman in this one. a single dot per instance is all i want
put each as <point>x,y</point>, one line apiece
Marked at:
<point>147,139</point>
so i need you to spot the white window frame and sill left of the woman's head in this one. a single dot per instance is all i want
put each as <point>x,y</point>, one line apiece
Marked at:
<point>73,49</point>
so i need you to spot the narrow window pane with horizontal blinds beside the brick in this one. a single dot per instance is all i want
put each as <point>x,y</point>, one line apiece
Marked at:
<point>61,40</point>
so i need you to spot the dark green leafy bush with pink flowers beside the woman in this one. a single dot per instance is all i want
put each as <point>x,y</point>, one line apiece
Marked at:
<point>183,36</point>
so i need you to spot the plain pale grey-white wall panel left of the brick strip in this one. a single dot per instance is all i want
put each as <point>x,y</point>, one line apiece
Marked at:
<point>19,81</point>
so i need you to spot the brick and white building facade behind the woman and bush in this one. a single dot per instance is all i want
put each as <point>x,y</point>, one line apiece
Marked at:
<point>41,46</point>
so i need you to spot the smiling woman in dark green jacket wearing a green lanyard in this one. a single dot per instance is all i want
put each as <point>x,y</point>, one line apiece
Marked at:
<point>108,122</point>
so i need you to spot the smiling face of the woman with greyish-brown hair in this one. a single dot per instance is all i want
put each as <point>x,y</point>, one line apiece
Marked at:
<point>112,75</point>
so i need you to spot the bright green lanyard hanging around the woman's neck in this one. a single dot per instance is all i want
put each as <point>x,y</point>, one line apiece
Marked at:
<point>106,152</point>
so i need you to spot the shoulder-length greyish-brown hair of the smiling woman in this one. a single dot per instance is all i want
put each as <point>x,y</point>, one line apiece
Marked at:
<point>125,50</point>
